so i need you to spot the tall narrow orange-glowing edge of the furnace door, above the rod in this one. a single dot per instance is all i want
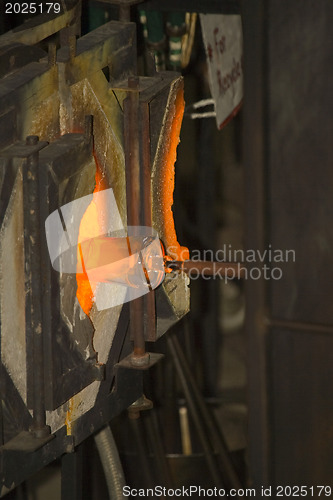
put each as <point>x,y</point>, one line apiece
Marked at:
<point>173,249</point>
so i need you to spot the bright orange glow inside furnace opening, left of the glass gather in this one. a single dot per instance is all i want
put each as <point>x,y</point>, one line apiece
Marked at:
<point>88,226</point>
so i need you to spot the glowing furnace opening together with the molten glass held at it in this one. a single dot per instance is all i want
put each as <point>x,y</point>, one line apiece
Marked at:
<point>108,254</point>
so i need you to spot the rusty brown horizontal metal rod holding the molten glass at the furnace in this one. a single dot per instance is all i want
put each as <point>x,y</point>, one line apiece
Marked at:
<point>208,268</point>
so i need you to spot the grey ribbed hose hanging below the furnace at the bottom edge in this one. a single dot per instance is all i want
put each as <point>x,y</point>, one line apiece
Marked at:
<point>112,467</point>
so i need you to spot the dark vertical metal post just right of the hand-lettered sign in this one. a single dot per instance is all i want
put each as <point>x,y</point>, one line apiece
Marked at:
<point>254,149</point>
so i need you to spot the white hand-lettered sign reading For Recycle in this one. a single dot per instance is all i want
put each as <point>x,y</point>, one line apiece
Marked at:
<point>223,39</point>
